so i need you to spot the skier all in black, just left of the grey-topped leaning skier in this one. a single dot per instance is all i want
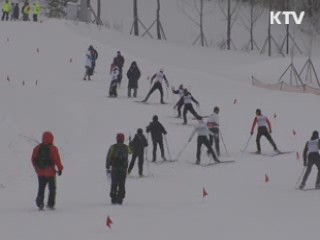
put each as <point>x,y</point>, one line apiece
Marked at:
<point>156,129</point>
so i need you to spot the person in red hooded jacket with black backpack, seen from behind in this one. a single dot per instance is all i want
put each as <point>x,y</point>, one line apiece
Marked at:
<point>45,159</point>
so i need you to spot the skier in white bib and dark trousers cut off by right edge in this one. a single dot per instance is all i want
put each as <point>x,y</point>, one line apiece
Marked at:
<point>310,157</point>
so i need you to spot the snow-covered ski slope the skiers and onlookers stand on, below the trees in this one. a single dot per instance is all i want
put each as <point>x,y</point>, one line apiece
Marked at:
<point>168,205</point>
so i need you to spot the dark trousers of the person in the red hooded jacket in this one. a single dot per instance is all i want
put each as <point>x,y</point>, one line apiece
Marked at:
<point>42,183</point>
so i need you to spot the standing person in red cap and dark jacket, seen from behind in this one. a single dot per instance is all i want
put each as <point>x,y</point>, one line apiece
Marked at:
<point>117,165</point>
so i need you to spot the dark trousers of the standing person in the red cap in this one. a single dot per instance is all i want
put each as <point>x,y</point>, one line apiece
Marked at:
<point>118,181</point>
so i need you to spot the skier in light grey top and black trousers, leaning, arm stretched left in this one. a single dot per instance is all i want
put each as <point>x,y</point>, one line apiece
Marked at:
<point>202,130</point>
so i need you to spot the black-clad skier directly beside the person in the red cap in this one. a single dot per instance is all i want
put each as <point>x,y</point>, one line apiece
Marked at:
<point>138,144</point>
